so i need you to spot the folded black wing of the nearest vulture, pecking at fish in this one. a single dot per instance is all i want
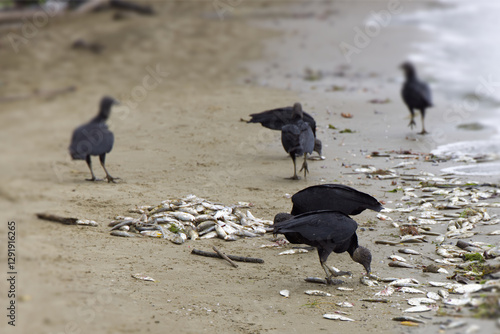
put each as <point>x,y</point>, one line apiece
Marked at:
<point>318,226</point>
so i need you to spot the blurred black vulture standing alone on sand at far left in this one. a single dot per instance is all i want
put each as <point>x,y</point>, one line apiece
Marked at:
<point>94,138</point>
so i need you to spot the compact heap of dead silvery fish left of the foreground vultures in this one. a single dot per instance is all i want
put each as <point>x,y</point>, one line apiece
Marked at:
<point>191,217</point>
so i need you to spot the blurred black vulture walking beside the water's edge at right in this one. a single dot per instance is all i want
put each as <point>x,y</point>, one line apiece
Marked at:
<point>416,94</point>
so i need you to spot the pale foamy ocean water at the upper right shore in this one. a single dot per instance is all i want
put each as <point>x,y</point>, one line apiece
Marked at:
<point>462,59</point>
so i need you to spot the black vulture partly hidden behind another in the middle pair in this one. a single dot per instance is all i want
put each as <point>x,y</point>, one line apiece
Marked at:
<point>275,119</point>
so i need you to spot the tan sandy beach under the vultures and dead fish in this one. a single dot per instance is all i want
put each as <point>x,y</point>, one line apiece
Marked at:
<point>185,79</point>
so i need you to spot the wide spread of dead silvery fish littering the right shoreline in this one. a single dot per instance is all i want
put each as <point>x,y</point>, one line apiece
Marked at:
<point>441,211</point>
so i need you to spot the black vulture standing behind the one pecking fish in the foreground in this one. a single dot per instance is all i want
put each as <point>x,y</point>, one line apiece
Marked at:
<point>334,197</point>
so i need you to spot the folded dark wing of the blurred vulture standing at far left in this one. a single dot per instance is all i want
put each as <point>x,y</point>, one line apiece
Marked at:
<point>91,139</point>
